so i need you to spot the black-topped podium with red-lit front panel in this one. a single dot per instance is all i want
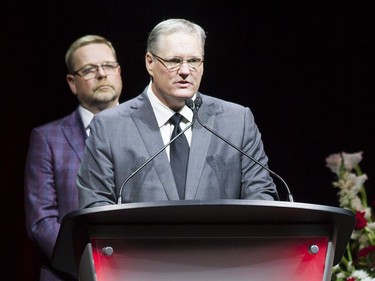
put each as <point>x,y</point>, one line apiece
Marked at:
<point>221,240</point>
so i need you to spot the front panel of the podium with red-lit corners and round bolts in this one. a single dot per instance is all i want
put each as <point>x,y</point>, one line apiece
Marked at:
<point>209,258</point>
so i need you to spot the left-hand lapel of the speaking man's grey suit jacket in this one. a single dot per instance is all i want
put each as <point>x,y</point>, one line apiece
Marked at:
<point>148,128</point>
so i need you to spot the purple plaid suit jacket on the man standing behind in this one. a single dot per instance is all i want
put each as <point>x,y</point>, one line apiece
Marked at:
<point>52,163</point>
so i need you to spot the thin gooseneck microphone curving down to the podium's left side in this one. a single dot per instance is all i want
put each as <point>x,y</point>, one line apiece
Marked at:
<point>191,105</point>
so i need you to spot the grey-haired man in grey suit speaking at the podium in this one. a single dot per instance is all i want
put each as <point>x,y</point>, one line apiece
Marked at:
<point>126,136</point>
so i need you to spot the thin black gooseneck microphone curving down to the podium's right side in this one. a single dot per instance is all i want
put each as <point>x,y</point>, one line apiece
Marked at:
<point>195,105</point>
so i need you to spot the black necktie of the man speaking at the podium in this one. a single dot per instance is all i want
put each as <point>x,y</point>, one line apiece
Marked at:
<point>179,155</point>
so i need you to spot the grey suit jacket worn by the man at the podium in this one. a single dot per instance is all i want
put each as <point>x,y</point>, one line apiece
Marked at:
<point>124,137</point>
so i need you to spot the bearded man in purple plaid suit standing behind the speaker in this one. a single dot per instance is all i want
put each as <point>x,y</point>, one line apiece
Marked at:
<point>56,148</point>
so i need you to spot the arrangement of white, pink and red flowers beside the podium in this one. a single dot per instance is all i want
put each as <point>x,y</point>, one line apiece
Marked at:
<point>358,262</point>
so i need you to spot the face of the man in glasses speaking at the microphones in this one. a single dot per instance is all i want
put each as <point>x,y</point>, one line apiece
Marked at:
<point>172,85</point>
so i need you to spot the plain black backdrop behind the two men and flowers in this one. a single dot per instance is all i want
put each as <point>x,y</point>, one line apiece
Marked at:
<point>305,68</point>
